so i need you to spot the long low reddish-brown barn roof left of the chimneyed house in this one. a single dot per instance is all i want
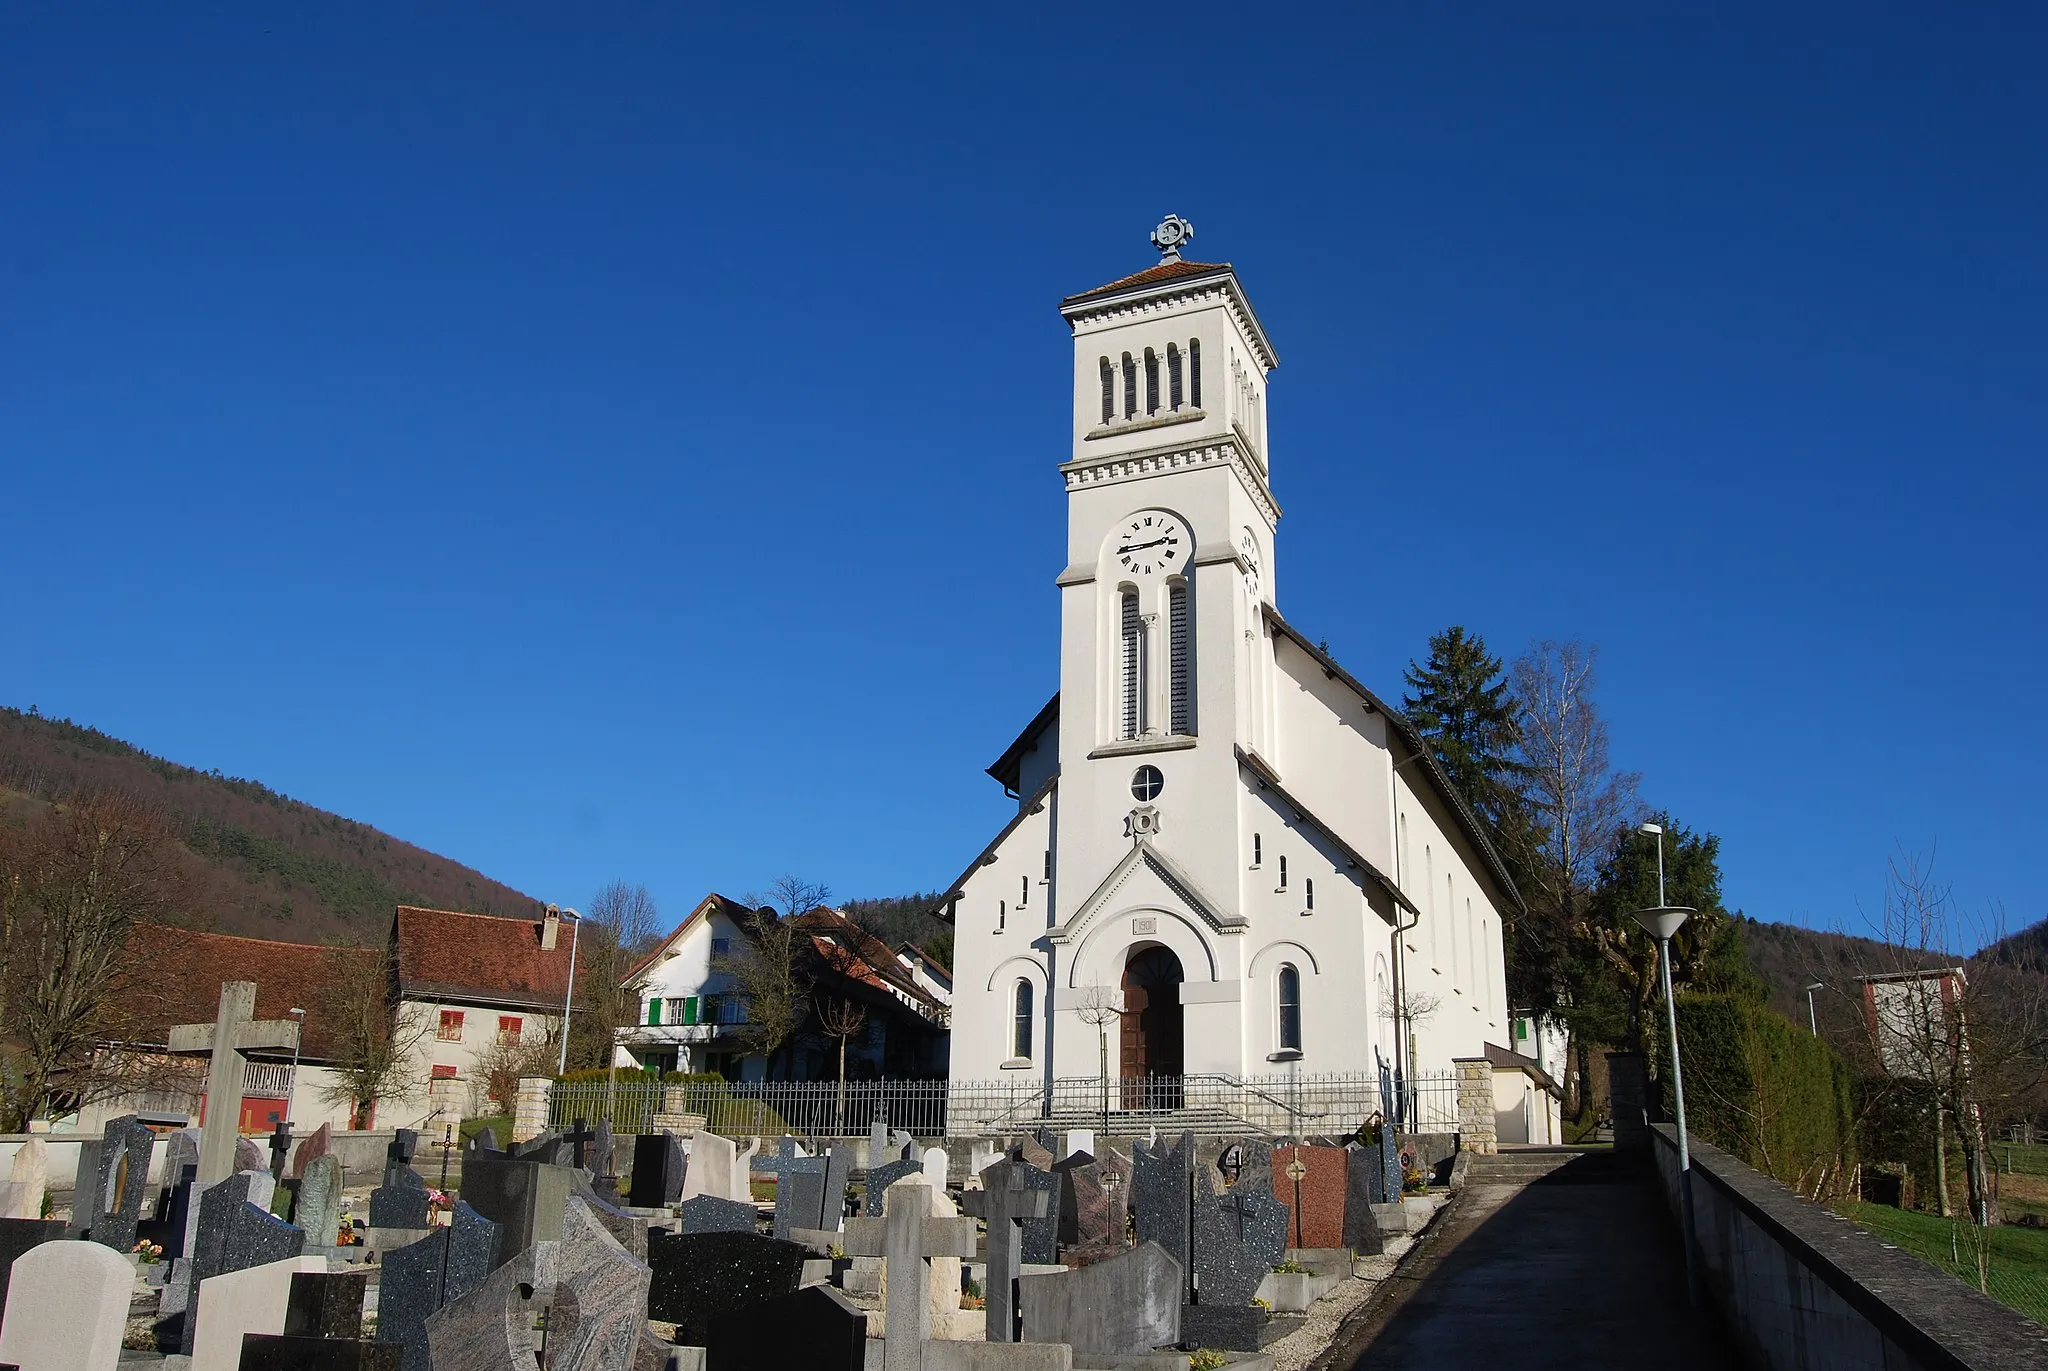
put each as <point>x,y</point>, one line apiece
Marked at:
<point>189,970</point>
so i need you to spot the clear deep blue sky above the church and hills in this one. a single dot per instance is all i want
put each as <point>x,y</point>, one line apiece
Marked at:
<point>527,427</point>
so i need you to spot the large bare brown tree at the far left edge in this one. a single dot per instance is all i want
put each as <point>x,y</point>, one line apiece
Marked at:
<point>75,884</point>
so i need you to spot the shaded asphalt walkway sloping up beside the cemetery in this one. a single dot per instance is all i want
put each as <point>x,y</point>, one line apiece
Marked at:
<point>1576,1270</point>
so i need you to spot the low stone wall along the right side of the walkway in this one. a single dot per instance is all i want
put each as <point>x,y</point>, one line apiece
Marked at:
<point>1805,1290</point>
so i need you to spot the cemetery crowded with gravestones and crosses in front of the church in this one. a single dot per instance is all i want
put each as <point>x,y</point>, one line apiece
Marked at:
<point>210,1251</point>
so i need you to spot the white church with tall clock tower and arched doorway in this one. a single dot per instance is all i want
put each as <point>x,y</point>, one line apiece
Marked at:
<point>1220,831</point>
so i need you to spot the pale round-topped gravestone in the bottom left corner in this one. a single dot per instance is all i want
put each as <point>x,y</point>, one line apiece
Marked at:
<point>67,1308</point>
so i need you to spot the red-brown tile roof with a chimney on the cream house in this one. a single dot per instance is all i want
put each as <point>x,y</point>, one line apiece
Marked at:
<point>480,958</point>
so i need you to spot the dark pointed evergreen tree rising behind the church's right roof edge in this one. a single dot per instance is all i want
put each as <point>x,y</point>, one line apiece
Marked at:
<point>1461,706</point>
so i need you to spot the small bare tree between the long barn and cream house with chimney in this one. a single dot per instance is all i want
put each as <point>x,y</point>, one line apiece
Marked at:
<point>374,1042</point>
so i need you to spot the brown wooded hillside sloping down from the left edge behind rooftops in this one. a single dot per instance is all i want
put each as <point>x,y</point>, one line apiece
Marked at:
<point>267,866</point>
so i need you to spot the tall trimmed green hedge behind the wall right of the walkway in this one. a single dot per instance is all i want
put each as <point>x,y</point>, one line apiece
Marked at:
<point>1766,1091</point>
